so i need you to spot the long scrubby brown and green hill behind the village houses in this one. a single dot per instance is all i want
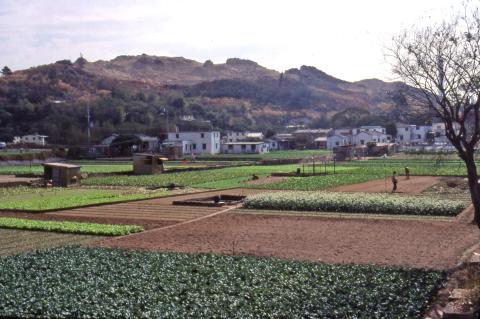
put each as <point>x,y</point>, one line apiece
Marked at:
<point>137,93</point>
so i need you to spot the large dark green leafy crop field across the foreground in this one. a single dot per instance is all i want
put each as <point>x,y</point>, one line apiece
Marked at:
<point>74,282</point>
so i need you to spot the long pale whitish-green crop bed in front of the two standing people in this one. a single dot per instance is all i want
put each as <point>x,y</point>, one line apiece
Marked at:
<point>365,203</point>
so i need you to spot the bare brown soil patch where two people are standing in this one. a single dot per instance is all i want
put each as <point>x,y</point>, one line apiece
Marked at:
<point>414,185</point>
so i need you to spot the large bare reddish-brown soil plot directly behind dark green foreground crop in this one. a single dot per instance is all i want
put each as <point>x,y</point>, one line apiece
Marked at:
<point>413,243</point>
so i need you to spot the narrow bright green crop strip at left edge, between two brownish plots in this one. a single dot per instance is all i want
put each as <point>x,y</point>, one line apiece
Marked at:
<point>69,227</point>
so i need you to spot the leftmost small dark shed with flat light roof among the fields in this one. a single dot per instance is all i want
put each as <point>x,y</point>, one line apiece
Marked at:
<point>61,174</point>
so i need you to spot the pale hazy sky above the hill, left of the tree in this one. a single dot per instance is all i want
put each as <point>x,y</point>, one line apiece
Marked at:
<point>345,38</point>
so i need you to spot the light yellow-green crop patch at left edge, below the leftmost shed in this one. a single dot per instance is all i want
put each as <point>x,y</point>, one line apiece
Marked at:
<point>41,199</point>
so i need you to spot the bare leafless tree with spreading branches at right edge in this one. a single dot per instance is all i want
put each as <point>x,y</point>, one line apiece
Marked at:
<point>442,61</point>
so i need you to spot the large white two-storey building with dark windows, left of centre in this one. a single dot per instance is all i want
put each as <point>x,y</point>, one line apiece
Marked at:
<point>195,142</point>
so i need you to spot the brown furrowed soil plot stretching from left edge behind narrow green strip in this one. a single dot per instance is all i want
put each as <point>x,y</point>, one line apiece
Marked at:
<point>152,213</point>
